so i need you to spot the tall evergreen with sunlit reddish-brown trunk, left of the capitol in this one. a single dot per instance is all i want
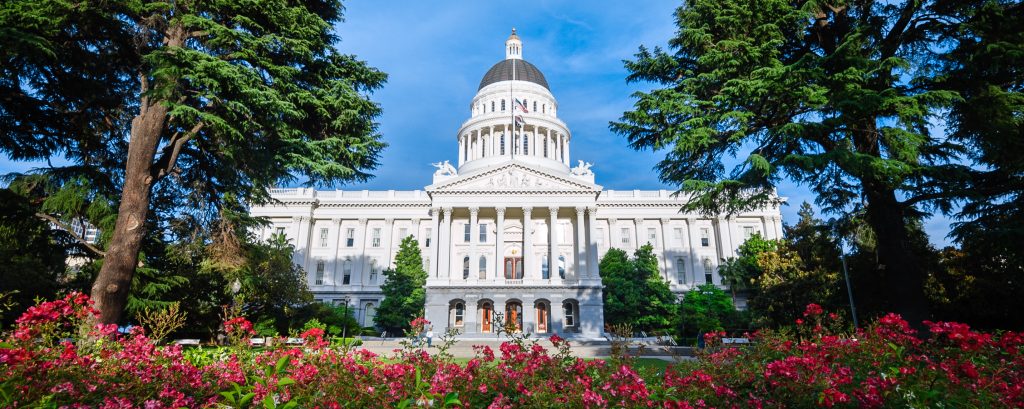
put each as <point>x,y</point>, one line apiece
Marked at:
<point>186,101</point>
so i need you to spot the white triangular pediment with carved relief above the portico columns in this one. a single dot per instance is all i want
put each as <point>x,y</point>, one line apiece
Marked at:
<point>514,178</point>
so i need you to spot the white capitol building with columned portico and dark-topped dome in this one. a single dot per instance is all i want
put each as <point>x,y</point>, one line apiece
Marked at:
<point>515,228</point>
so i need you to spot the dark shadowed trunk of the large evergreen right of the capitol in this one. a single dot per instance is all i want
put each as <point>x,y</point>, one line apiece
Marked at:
<point>903,272</point>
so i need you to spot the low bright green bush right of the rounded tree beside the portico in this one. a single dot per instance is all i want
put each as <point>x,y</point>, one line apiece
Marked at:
<point>706,309</point>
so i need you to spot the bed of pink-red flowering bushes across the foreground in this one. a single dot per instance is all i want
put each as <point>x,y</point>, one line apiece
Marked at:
<point>881,366</point>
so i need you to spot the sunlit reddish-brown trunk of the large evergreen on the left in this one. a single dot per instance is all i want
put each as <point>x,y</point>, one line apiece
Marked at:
<point>110,293</point>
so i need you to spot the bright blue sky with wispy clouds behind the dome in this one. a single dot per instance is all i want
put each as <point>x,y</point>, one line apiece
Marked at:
<point>436,54</point>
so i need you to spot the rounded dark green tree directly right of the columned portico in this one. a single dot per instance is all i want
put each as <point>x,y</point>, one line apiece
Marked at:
<point>635,293</point>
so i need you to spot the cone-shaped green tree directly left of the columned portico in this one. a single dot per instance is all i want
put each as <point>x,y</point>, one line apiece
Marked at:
<point>404,289</point>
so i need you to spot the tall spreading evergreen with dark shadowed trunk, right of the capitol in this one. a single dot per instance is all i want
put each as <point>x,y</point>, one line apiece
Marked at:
<point>831,94</point>
